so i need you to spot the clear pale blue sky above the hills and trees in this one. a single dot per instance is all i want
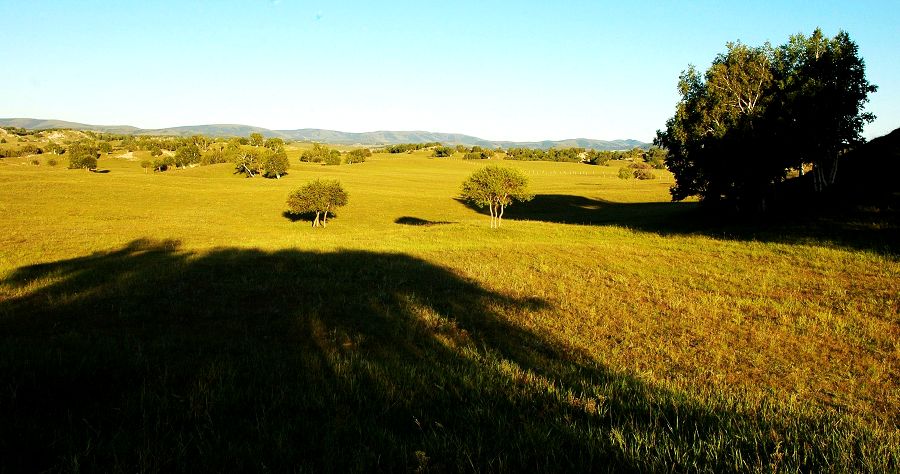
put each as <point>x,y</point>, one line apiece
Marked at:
<point>517,70</point>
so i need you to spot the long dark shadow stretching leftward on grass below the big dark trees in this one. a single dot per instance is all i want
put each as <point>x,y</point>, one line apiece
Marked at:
<point>873,230</point>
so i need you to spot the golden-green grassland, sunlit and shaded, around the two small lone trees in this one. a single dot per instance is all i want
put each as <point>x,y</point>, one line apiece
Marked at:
<point>180,321</point>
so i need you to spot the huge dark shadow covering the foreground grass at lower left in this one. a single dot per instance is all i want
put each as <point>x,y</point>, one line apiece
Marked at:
<point>151,358</point>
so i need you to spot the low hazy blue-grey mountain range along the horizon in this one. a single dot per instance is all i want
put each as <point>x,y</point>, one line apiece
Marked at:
<point>324,136</point>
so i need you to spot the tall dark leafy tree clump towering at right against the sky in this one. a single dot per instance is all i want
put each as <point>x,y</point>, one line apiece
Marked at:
<point>758,112</point>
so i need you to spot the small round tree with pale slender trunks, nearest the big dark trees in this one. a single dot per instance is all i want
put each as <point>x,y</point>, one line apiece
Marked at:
<point>495,187</point>
